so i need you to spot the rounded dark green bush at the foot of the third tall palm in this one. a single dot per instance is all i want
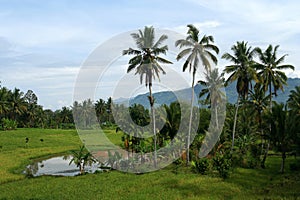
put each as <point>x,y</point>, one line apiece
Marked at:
<point>222,164</point>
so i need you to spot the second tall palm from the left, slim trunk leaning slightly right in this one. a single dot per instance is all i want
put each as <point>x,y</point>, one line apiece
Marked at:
<point>196,50</point>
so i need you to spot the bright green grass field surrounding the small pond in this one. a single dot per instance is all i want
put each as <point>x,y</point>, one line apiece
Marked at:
<point>162,184</point>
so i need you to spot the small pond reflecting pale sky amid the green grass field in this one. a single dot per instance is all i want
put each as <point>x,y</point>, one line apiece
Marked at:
<point>58,166</point>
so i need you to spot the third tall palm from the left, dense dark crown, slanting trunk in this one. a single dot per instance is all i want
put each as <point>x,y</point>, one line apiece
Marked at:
<point>242,71</point>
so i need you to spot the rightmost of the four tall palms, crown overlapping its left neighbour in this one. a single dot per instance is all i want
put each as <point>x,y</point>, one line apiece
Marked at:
<point>271,75</point>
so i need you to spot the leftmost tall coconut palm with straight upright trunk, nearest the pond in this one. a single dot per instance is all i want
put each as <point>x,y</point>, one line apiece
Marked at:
<point>146,61</point>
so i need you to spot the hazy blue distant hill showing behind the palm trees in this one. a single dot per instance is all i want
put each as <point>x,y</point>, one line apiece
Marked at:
<point>167,97</point>
